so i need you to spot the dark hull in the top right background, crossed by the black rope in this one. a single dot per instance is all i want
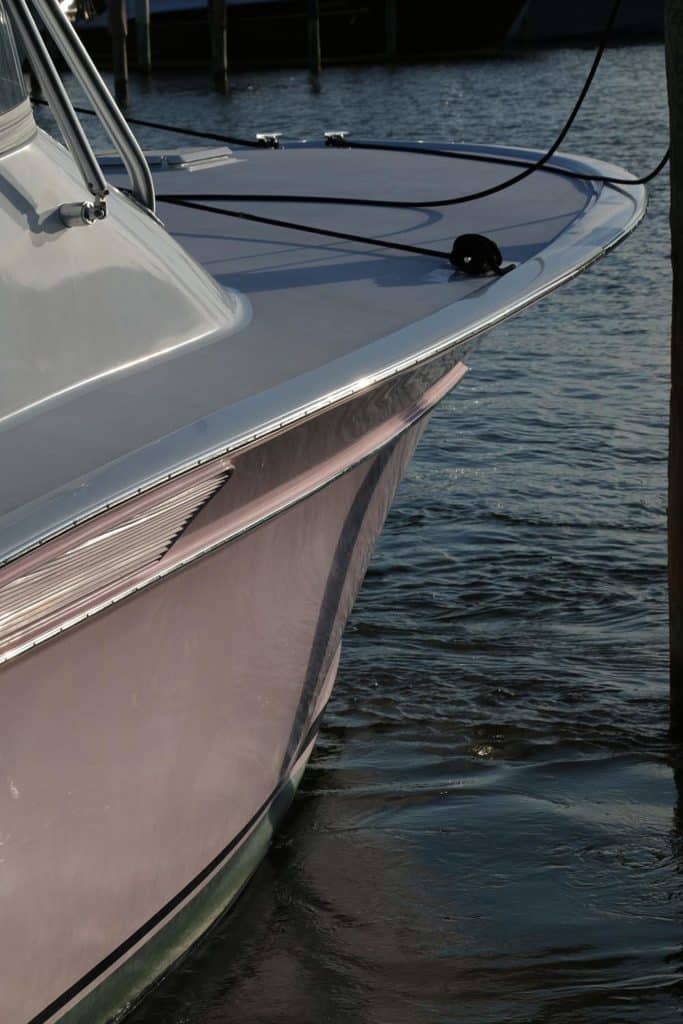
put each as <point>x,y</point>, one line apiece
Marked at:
<point>544,22</point>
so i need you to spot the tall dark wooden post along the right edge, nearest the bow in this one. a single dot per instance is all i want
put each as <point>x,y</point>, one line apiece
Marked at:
<point>674,28</point>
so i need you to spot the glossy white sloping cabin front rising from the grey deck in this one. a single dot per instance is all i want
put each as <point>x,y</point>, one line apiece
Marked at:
<point>82,307</point>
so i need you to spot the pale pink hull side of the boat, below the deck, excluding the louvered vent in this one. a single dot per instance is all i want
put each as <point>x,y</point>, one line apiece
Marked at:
<point>151,747</point>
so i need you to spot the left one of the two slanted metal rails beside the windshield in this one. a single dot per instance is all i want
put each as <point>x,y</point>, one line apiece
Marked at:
<point>64,113</point>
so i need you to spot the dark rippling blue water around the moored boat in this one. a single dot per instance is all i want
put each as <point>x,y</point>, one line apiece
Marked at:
<point>490,830</point>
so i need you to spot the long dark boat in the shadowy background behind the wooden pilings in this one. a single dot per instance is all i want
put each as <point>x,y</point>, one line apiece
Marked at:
<point>274,33</point>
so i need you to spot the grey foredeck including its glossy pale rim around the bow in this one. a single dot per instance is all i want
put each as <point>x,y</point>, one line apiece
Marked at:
<point>324,317</point>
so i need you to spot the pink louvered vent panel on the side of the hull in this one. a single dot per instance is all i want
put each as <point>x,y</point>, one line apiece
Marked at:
<point>46,588</point>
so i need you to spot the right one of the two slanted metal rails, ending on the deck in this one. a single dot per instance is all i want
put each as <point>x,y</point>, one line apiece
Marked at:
<point>113,121</point>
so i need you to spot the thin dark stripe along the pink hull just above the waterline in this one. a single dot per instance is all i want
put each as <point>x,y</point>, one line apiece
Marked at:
<point>145,929</point>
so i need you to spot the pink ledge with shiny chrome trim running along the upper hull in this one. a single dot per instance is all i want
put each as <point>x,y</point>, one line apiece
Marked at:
<point>166,569</point>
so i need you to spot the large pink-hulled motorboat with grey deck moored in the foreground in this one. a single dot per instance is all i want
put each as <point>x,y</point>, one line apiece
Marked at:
<point>206,407</point>
